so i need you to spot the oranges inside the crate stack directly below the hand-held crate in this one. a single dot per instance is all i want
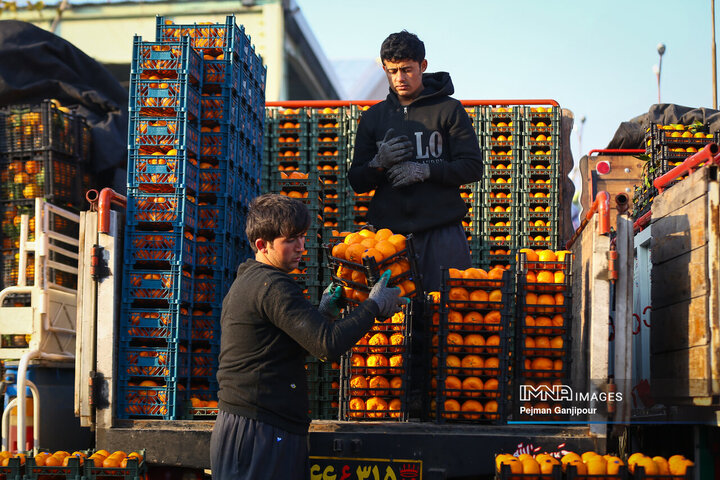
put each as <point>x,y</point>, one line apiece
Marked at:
<point>377,370</point>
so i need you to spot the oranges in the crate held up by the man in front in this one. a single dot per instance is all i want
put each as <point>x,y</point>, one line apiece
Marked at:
<point>387,249</point>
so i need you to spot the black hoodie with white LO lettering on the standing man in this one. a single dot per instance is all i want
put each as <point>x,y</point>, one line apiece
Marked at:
<point>443,137</point>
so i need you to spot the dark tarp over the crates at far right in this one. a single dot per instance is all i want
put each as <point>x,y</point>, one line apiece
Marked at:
<point>631,134</point>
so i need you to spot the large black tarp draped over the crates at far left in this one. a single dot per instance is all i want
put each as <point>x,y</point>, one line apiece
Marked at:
<point>36,65</point>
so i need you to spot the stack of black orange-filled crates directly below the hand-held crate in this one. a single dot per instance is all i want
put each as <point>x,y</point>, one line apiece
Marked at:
<point>375,373</point>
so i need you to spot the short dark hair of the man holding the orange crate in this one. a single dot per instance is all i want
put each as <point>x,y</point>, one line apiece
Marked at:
<point>271,216</point>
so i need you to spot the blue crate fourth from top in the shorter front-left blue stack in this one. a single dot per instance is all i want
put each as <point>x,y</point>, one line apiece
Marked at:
<point>155,173</point>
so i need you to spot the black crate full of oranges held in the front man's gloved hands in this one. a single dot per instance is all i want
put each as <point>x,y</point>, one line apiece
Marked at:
<point>358,261</point>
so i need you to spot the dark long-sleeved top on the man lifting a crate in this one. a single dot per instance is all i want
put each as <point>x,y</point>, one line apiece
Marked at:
<point>268,328</point>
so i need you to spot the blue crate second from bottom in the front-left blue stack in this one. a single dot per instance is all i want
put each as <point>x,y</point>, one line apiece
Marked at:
<point>169,362</point>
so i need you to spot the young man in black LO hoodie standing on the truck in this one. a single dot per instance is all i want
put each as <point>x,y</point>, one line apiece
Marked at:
<point>415,149</point>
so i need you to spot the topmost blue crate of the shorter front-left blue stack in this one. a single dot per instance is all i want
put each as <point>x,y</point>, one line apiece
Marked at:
<point>166,58</point>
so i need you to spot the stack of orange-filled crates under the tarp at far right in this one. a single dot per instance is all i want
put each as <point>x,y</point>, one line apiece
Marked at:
<point>667,146</point>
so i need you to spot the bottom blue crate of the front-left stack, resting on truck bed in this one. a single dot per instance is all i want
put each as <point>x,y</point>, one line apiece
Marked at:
<point>140,399</point>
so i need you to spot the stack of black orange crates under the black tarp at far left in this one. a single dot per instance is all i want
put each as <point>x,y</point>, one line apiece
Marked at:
<point>45,152</point>
